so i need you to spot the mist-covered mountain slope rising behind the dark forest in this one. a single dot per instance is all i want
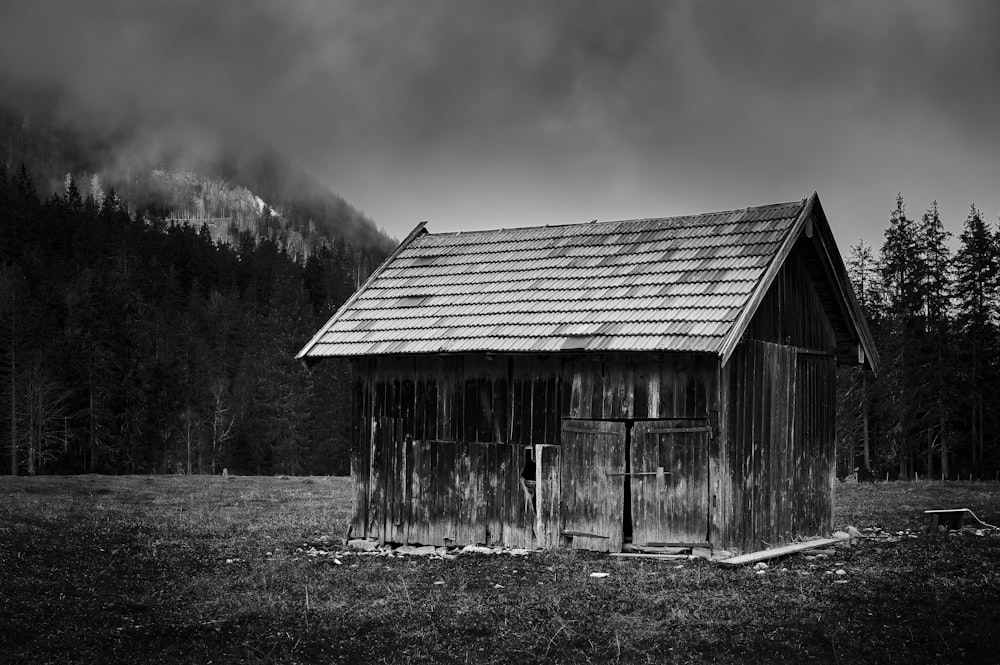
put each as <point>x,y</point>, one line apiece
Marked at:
<point>230,181</point>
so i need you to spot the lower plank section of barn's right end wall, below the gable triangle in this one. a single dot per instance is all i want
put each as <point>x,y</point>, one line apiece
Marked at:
<point>777,447</point>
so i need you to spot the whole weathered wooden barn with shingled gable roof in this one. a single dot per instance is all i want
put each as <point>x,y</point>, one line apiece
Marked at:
<point>653,381</point>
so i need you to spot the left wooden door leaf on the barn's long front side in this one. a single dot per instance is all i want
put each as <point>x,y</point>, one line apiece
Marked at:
<point>592,469</point>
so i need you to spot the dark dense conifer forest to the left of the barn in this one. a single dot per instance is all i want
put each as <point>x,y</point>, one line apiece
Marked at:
<point>132,345</point>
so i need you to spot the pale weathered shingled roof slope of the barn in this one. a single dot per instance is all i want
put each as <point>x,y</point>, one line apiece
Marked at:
<point>669,284</point>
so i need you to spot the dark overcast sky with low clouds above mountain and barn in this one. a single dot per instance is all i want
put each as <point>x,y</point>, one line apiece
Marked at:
<point>488,114</point>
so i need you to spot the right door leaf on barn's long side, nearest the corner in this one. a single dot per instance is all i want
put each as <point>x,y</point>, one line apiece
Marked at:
<point>669,481</point>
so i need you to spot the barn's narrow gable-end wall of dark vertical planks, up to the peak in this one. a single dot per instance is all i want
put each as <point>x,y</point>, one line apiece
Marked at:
<point>777,443</point>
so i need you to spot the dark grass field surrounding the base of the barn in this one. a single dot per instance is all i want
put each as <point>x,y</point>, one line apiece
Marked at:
<point>177,569</point>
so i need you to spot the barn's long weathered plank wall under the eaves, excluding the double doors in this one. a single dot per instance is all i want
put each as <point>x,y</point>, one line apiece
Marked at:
<point>465,448</point>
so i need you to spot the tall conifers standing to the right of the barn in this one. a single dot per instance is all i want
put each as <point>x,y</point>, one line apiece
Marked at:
<point>933,306</point>
